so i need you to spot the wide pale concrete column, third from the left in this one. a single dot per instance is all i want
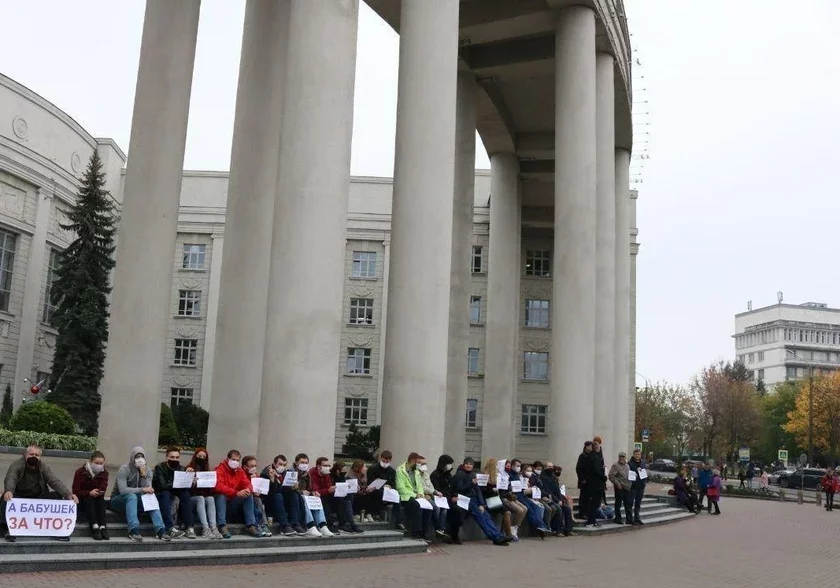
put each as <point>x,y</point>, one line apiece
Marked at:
<point>303,327</point>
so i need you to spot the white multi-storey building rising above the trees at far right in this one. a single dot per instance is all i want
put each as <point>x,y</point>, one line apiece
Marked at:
<point>784,341</point>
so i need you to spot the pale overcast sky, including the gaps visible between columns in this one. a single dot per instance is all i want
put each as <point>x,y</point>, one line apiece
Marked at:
<point>739,198</point>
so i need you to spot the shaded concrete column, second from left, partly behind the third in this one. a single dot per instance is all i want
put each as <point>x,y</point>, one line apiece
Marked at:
<point>243,290</point>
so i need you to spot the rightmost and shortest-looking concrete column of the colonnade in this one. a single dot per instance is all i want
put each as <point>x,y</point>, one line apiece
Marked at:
<point>625,391</point>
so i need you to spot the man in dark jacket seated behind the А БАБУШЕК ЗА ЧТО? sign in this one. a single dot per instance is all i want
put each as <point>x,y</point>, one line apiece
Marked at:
<point>29,477</point>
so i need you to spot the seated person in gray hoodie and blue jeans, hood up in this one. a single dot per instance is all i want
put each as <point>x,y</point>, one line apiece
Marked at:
<point>133,480</point>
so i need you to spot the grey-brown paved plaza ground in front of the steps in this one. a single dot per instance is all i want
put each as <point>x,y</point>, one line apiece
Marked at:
<point>754,544</point>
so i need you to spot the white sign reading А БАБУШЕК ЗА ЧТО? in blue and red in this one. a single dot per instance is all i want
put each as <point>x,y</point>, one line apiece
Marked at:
<point>40,518</point>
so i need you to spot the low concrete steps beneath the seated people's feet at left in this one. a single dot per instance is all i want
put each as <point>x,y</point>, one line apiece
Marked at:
<point>162,557</point>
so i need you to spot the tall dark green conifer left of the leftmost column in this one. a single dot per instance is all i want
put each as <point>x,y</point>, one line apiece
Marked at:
<point>80,293</point>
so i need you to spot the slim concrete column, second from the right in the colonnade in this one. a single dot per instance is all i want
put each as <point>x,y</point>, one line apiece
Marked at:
<point>605,383</point>
